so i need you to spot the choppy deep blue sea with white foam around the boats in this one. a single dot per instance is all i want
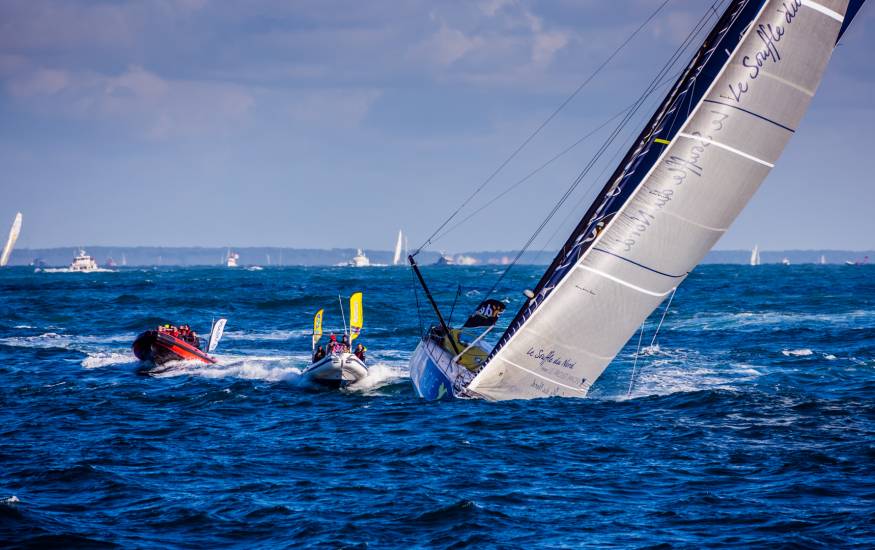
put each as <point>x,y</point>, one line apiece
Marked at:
<point>753,423</point>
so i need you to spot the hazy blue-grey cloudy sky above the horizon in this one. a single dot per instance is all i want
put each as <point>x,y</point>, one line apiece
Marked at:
<point>323,124</point>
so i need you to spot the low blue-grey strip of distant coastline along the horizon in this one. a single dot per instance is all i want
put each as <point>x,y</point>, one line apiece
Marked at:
<point>278,256</point>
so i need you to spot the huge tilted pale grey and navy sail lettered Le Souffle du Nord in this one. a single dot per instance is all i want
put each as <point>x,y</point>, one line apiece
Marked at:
<point>701,156</point>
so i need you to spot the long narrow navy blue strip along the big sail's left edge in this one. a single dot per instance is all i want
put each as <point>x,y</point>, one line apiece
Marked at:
<point>665,123</point>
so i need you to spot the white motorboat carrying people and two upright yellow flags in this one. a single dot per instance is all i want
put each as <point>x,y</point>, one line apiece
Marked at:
<point>338,366</point>
